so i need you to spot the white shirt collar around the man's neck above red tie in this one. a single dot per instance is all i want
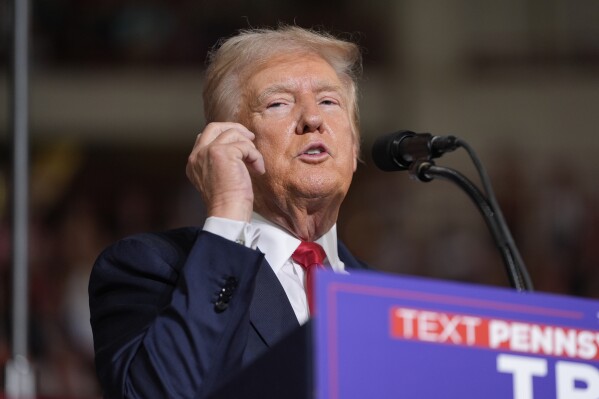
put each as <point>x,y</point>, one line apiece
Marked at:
<point>278,245</point>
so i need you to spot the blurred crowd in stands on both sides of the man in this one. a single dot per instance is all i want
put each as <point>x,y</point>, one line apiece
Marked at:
<point>83,199</point>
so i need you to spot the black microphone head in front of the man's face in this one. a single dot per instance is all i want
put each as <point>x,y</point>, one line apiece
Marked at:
<point>399,150</point>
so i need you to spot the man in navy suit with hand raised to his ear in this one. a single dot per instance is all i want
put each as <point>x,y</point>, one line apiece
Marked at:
<point>175,314</point>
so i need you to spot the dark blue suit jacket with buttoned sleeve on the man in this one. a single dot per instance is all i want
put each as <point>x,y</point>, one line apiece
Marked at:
<point>161,327</point>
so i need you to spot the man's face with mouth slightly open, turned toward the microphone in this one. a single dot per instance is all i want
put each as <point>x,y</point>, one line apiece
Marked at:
<point>298,109</point>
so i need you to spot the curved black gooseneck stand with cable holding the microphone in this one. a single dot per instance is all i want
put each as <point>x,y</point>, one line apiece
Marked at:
<point>425,170</point>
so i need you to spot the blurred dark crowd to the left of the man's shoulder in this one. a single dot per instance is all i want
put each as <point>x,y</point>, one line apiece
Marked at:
<point>80,203</point>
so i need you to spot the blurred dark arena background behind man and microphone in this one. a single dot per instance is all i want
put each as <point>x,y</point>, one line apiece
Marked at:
<point>116,105</point>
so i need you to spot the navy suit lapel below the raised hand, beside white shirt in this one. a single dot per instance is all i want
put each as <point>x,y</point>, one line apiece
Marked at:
<point>271,314</point>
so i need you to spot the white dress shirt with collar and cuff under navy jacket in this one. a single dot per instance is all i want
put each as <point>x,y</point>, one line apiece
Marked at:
<point>278,245</point>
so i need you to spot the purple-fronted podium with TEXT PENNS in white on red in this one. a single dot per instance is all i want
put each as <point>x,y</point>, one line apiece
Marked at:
<point>385,336</point>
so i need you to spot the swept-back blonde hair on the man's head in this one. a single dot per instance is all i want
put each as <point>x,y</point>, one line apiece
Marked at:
<point>236,57</point>
